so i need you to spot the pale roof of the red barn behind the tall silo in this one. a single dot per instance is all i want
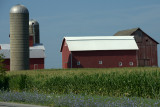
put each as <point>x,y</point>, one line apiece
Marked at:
<point>37,51</point>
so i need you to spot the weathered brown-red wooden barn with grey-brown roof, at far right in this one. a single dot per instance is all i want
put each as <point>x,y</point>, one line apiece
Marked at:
<point>147,53</point>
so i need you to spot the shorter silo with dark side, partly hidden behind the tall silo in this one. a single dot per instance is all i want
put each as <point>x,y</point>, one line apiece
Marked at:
<point>34,30</point>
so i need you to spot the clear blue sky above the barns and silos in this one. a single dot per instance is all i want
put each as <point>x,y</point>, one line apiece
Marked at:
<point>59,18</point>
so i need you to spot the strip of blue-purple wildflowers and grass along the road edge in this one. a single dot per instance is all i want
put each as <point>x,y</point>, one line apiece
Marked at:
<point>74,100</point>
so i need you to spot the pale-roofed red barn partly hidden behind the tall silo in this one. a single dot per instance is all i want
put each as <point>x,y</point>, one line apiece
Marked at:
<point>37,55</point>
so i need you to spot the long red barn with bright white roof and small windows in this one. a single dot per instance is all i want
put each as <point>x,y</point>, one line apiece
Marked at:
<point>99,52</point>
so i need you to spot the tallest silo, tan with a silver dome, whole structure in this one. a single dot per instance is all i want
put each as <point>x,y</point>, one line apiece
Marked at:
<point>19,38</point>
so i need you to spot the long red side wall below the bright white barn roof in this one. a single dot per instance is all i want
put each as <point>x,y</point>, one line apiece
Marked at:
<point>110,59</point>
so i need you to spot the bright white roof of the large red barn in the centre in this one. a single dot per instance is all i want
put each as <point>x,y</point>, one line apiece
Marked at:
<point>94,43</point>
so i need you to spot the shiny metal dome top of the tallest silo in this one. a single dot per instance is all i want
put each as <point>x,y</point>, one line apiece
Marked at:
<point>19,9</point>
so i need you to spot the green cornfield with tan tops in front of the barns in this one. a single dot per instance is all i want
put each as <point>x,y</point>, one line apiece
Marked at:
<point>129,82</point>
